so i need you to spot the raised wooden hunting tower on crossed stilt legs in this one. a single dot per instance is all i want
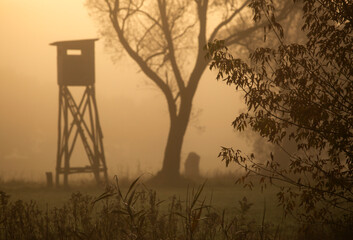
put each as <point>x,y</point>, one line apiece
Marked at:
<point>75,64</point>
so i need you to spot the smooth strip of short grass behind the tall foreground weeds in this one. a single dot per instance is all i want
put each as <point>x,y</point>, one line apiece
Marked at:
<point>222,196</point>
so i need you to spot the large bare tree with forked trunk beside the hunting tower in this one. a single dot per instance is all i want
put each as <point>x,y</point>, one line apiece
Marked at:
<point>166,38</point>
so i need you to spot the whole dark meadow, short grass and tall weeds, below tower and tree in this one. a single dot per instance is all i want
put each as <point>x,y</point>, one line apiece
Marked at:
<point>213,209</point>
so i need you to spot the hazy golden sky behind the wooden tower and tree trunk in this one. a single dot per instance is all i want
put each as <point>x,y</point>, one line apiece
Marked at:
<point>133,114</point>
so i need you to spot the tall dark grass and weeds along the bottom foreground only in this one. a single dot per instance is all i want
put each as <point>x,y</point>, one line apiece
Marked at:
<point>136,213</point>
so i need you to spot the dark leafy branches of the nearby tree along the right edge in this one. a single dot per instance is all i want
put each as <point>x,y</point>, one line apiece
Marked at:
<point>302,93</point>
